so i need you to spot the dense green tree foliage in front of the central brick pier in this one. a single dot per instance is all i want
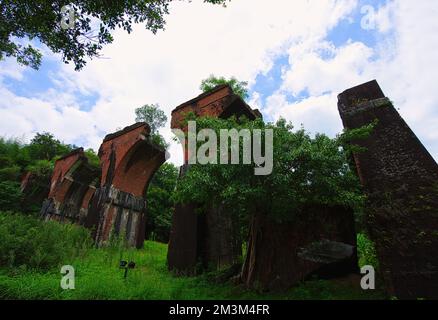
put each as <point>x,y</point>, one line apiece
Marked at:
<point>306,171</point>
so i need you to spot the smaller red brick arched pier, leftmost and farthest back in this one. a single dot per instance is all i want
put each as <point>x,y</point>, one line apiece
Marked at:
<point>70,189</point>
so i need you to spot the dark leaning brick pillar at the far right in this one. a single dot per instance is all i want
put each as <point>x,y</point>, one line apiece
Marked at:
<point>401,180</point>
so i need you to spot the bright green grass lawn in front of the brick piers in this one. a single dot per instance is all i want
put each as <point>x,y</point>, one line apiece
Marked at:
<point>99,277</point>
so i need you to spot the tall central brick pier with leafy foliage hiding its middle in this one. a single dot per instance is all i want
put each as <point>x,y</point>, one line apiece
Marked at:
<point>209,239</point>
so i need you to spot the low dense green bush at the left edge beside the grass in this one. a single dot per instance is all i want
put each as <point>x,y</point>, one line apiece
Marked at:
<point>30,243</point>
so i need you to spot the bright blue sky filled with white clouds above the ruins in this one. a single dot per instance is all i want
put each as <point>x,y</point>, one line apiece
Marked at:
<point>297,55</point>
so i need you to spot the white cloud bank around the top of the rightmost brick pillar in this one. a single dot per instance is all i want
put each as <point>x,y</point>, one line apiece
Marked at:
<point>403,62</point>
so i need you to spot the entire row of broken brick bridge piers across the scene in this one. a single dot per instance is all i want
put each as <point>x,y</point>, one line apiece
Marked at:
<point>399,177</point>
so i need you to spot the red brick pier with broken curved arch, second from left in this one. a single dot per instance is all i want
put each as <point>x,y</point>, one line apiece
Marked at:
<point>129,160</point>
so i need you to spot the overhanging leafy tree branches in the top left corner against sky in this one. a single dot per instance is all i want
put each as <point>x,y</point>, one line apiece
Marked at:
<point>94,20</point>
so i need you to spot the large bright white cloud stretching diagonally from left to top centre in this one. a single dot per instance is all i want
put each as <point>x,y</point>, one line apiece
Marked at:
<point>240,40</point>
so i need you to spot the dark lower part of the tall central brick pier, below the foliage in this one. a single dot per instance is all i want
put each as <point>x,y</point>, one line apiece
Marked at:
<point>209,240</point>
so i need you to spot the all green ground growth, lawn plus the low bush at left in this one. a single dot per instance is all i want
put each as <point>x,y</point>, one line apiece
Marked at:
<point>98,275</point>
